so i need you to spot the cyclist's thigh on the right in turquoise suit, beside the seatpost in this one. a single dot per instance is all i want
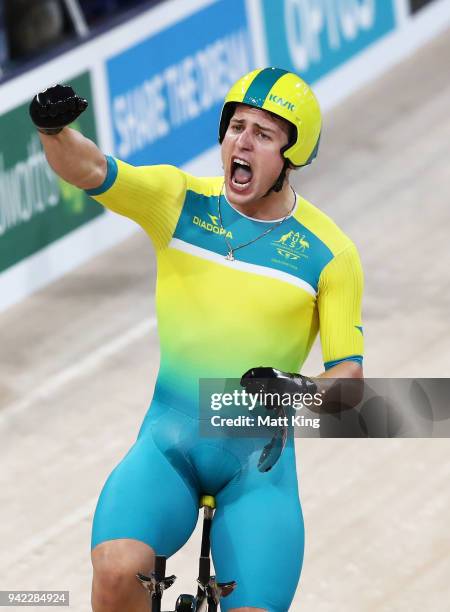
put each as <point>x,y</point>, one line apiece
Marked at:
<point>258,536</point>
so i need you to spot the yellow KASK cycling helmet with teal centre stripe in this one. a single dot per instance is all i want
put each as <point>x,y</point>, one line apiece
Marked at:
<point>286,95</point>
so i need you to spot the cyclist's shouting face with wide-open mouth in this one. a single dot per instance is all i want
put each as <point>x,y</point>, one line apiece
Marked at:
<point>255,138</point>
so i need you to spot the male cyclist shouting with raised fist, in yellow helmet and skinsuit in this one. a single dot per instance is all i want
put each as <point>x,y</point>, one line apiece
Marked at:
<point>248,272</point>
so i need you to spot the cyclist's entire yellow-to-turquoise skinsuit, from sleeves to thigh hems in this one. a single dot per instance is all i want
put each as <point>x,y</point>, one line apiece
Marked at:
<point>217,319</point>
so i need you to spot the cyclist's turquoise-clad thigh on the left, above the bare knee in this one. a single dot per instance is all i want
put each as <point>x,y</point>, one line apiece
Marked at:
<point>147,499</point>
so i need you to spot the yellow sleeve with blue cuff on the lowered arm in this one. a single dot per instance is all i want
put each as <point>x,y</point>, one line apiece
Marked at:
<point>339,303</point>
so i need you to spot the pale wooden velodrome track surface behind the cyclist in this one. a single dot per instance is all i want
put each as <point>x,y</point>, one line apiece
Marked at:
<point>79,358</point>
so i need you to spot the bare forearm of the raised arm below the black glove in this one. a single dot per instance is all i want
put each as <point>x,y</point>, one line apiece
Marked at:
<point>75,158</point>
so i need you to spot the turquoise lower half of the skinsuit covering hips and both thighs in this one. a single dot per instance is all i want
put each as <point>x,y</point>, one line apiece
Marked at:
<point>257,534</point>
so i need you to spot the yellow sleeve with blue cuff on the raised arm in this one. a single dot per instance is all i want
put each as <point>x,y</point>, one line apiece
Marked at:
<point>152,196</point>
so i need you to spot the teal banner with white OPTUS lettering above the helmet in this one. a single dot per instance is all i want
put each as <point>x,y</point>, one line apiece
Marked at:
<point>311,37</point>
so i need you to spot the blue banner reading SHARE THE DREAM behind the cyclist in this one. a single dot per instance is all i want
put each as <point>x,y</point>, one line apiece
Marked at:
<point>166,92</point>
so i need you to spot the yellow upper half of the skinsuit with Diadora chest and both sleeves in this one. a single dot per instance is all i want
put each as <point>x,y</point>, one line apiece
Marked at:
<point>218,318</point>
